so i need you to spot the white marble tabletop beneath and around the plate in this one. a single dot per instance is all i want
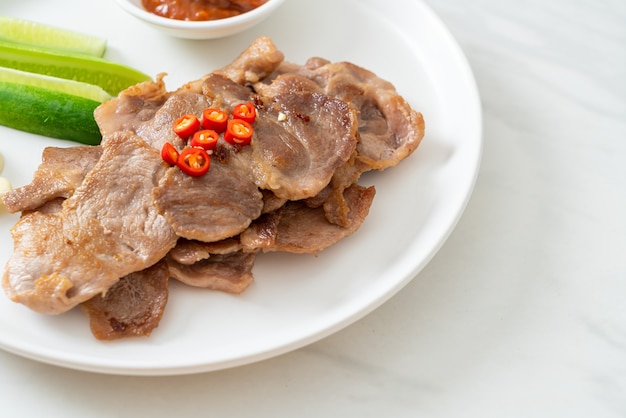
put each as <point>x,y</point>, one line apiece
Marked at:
<point>521,313</point>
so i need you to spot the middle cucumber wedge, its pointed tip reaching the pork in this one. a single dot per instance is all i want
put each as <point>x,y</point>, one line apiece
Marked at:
<point>112,77</point>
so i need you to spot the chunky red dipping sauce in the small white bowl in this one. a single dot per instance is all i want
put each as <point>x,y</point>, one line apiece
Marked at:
<point>200,10</point>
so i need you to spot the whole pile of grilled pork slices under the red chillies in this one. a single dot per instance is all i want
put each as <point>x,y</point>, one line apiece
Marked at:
<point>104,225</point>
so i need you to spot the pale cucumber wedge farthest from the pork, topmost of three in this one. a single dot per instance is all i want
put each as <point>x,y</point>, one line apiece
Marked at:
<point>46,36</point>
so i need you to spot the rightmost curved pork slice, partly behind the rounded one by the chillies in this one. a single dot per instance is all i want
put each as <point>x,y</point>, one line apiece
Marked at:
<point>388,128</point>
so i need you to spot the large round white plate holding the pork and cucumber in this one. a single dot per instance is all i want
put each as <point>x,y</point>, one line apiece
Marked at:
<point>296,299</point>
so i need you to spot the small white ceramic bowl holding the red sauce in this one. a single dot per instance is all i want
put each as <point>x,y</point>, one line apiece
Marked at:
<point>201,30</point>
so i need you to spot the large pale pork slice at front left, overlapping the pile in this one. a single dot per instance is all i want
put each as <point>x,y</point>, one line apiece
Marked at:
<point>106,230</point>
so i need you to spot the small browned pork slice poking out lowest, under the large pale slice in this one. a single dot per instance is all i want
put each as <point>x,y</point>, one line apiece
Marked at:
<point>132,307</point>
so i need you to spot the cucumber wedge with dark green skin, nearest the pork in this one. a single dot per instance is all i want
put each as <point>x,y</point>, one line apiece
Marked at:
<point>49,106</point>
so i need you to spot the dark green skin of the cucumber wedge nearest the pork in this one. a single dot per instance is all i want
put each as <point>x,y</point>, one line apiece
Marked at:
<point>48,113</point>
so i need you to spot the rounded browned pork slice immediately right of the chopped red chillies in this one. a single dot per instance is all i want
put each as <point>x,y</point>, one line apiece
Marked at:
<point>301,138</point>
